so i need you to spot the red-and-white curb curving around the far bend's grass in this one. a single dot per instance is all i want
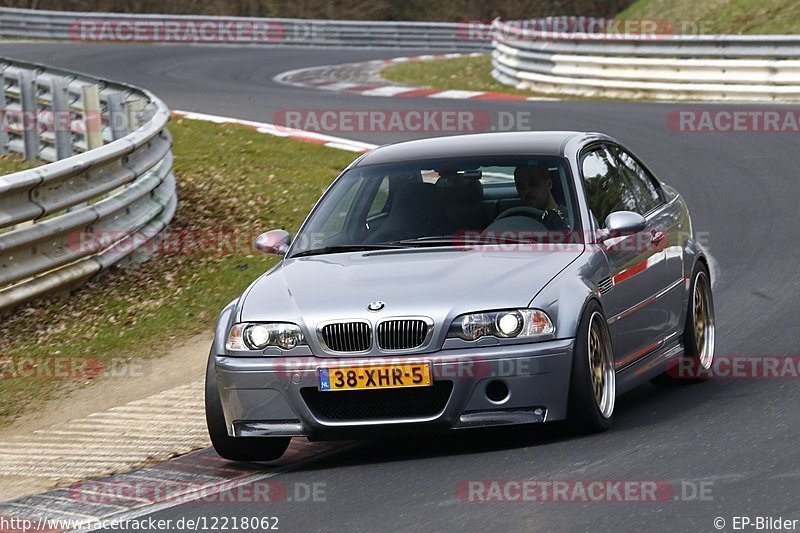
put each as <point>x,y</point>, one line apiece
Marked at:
<point>324,78</point>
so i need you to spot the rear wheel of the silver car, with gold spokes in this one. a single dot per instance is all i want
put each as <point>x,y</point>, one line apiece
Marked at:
<point>698,334</point>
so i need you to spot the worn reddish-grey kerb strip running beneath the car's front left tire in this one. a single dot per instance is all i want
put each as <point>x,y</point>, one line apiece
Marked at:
<point>201,475</point>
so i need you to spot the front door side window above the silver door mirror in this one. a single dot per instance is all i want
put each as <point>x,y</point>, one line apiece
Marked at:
<point>606,189</point>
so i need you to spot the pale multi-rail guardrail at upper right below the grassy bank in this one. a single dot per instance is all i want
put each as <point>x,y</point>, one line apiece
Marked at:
<point>691,67</point>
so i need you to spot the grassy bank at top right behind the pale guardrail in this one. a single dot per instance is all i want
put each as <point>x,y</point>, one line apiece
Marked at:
<point>721,16</point>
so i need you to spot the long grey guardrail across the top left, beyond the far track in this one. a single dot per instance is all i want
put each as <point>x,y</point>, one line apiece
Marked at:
<point>199,29</point>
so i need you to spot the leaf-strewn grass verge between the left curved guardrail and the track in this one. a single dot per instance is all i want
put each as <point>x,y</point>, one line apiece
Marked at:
<point>230,179</point>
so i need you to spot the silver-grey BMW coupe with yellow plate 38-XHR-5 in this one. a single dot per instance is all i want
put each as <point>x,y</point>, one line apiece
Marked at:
<point>463,282</point>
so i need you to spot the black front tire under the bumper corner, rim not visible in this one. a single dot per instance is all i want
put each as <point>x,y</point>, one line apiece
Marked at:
<point>235,448</point>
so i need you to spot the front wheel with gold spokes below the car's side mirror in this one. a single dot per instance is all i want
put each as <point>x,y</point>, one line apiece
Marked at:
<point>592,390</point>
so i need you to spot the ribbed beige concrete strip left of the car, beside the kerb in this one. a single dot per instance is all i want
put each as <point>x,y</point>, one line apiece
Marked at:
<point>166,424</point>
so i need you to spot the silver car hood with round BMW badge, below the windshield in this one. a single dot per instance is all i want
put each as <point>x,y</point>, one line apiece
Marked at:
<point>437,283</point>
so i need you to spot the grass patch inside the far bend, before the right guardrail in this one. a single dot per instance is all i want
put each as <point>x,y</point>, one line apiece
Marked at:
<point>460,73</point>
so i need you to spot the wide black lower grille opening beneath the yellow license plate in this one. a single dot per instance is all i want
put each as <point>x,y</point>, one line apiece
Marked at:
<point>381,404</point>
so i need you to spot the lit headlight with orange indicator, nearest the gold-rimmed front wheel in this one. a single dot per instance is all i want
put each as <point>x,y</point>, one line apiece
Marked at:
<point>505,324</point>
